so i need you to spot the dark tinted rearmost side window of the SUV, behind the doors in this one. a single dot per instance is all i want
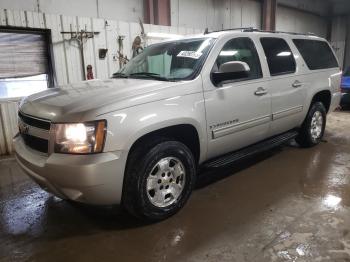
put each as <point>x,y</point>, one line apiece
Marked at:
<point>316,54</point>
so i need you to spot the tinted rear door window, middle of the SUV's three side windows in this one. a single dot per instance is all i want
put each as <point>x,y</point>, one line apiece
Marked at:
<point>279,56</point>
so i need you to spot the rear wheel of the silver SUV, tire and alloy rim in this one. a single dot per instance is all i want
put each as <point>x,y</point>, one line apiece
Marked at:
<point>312,130</point>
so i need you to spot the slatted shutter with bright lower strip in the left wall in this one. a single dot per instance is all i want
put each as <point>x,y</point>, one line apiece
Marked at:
<point>24,63</point>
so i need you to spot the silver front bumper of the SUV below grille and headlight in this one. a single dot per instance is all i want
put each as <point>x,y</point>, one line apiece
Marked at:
<point>93,179</point>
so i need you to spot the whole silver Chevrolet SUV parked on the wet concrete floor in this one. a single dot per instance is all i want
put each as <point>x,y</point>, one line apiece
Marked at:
<point>139,138</point>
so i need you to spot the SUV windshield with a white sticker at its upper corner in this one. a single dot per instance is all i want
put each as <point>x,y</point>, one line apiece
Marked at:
<point>169,61</point>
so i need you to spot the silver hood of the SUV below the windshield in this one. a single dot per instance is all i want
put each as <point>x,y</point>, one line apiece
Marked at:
<point>79,102</point>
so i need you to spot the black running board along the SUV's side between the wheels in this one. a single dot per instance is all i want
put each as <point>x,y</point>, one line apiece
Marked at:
<point>250,150</point>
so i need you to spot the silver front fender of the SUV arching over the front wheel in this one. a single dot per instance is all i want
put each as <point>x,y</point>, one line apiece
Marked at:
<point>128,125</point>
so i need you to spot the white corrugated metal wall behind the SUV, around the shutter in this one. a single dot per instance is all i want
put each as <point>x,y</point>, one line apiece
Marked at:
<point>67,61</point>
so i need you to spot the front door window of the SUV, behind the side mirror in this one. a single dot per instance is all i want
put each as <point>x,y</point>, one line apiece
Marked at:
<point>240,49</point>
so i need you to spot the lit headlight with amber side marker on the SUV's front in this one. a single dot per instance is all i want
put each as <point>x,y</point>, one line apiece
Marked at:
<point>80,138</point>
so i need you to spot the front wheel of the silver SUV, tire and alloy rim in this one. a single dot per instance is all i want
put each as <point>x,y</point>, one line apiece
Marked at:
<point>152,172</point>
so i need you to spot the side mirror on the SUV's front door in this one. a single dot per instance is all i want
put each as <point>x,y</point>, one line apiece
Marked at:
<point>230,71</point>
